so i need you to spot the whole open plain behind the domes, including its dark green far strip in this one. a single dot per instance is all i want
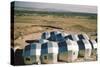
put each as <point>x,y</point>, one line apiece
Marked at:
<point>30,22</point>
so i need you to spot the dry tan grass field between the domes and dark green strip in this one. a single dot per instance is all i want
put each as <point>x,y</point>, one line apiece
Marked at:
<point>26,25</point>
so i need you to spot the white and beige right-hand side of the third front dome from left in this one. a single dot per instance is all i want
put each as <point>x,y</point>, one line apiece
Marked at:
<point>72,50</point>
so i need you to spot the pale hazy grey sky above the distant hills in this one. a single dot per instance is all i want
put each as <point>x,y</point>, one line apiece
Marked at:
<point>63,7</point>
